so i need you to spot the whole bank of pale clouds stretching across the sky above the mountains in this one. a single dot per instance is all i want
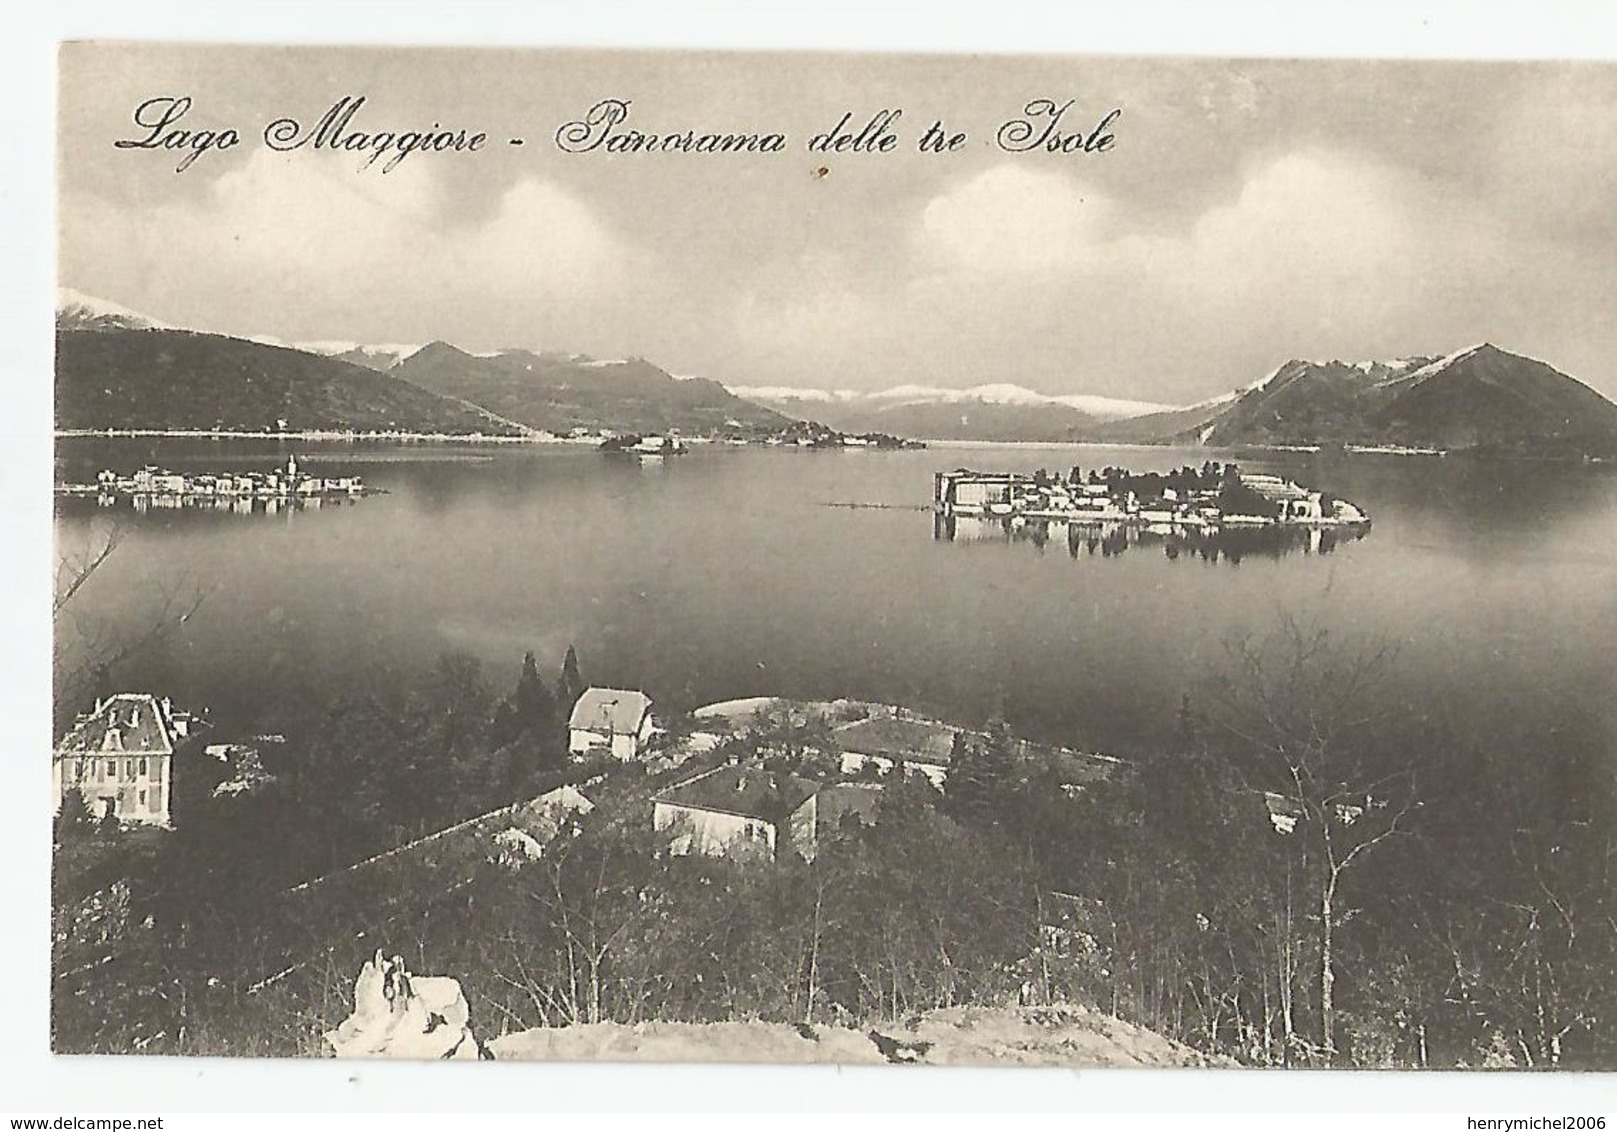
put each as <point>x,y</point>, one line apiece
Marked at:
<point>1016,272</point>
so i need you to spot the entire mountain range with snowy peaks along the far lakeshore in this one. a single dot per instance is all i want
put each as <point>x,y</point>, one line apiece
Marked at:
<point>120,370</point>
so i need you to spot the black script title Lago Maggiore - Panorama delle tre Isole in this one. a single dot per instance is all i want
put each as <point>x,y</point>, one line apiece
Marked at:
<point>172,125</point>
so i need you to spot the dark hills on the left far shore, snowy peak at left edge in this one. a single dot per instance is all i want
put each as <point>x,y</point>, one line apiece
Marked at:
<point>120,370</point>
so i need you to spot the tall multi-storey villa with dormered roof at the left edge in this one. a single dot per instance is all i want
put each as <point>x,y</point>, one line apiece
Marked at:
<point>122,759</point>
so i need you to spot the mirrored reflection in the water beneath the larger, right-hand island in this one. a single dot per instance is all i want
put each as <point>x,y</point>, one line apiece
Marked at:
<point>1112,539</point>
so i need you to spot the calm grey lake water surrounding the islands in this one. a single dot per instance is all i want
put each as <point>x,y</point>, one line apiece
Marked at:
<point>728,573</point>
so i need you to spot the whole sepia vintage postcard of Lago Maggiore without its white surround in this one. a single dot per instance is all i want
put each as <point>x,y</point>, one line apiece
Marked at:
<point>583,555</point>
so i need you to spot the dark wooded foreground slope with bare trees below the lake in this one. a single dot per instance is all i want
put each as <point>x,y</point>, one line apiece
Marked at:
<point>1280,885</point>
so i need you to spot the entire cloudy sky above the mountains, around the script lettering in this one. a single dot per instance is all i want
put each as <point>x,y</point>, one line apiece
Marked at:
<point>1249,213</point>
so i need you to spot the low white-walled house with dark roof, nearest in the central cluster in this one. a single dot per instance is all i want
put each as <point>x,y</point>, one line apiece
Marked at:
<point>740,811</point>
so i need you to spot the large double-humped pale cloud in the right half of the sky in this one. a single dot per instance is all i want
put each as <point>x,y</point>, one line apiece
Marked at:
<point>1031,274</point>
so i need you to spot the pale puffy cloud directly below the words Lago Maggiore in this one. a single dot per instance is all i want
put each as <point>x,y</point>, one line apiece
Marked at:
<point>323,242</point>
